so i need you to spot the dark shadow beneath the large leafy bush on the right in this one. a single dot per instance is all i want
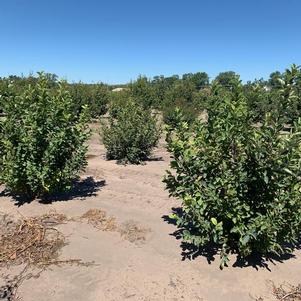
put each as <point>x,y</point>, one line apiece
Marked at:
<point>211,251</point>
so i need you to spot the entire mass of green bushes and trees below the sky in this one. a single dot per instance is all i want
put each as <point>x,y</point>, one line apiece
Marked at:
<point>237,172</point>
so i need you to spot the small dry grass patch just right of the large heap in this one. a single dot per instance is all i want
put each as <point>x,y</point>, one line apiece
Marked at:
<point>98,219</point>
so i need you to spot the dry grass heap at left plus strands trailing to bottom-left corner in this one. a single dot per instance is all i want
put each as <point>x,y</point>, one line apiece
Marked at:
<point>34,242</point>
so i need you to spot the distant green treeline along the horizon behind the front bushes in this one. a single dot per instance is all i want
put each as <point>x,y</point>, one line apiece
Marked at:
<point>192,93</point>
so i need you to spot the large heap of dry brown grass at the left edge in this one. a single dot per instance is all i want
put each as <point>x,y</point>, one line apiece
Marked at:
<point>31,240</point>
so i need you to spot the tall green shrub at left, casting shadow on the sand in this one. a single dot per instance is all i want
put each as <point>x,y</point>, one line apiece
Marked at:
<point>42,142</point>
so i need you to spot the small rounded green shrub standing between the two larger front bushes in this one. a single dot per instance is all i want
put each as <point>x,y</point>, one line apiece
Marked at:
<point>131,134</point>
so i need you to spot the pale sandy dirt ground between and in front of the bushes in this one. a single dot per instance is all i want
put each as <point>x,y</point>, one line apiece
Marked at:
<point>151,267</point>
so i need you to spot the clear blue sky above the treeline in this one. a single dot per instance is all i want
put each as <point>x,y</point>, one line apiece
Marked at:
<point>115,41</point>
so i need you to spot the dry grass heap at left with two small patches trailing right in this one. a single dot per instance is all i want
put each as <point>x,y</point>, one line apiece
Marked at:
<point>36,241</point>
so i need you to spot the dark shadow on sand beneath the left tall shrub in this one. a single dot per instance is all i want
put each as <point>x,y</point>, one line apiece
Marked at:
<point>80,189</point>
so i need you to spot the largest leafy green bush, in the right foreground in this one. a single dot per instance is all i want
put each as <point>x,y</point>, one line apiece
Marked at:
<point>239,184</point>
